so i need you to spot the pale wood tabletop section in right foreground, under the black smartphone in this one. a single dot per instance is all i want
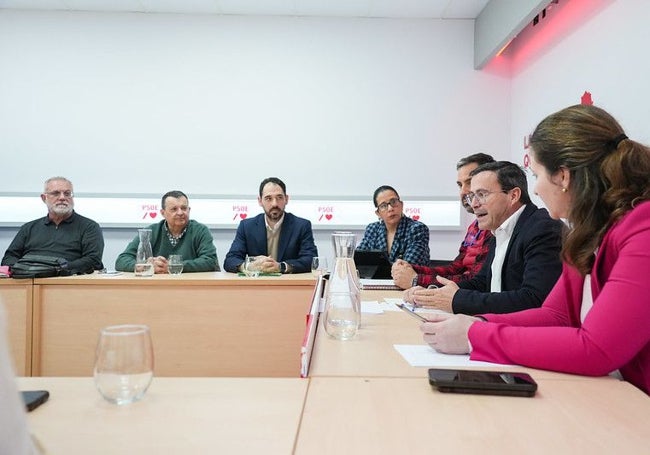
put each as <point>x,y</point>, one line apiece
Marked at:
<point>361,415</point>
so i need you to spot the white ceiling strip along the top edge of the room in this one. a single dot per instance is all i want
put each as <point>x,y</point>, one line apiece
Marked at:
<point>429,9</point>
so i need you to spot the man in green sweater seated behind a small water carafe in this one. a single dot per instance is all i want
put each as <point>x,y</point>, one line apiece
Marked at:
<point>175,234</point>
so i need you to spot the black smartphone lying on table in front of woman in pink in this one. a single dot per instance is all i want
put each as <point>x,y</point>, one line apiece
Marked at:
<point>483,382</point>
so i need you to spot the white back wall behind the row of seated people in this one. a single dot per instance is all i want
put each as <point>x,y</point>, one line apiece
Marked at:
<point>145,103</point>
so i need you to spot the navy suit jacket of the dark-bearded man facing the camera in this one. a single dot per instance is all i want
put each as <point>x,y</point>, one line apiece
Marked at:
<point>296,245</point>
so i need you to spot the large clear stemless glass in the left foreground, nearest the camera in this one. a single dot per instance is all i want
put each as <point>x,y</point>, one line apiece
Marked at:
<point>124,363</point>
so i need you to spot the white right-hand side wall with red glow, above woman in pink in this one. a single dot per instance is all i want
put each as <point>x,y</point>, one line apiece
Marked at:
<point>599,46</point>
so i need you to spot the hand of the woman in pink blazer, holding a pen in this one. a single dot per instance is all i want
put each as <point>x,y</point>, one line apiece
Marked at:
<point>447,333</point>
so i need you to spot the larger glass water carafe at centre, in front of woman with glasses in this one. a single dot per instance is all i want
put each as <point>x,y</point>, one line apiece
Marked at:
<point>343,297</point>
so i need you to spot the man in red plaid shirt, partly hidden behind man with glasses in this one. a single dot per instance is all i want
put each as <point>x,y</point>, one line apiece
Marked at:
<point>472,251</point>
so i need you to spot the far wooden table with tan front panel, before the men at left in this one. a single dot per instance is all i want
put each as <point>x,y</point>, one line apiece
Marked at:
<point>202,324</point>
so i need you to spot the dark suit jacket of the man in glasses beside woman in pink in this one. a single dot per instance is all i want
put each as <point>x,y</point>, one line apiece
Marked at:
<point>531,267</point>
